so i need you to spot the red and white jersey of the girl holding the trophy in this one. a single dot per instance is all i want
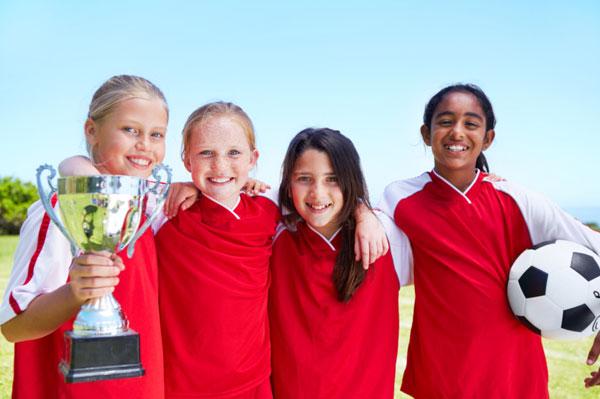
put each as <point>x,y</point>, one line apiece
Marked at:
<point>41,265</point>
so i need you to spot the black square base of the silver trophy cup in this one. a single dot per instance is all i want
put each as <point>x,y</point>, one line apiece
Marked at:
<point>101,357</point>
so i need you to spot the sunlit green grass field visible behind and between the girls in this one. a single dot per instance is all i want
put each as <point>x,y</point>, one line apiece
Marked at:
<point>566,360</point>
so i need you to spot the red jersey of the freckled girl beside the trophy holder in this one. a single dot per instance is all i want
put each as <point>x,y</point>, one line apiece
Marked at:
<point>214,280</point>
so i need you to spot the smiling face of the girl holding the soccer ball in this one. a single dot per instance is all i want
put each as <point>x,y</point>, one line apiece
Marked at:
<point>457,136</point>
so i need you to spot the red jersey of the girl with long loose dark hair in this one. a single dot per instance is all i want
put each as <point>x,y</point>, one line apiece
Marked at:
<point>323,348</point>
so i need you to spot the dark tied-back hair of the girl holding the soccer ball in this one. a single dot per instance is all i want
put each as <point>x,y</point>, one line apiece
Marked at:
<point>484,102</point>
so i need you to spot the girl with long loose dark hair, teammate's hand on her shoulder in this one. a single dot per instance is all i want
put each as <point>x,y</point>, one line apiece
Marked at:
<point>334,326</point>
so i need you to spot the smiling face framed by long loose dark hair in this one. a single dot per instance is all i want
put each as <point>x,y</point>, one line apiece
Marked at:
<point>316,194</point>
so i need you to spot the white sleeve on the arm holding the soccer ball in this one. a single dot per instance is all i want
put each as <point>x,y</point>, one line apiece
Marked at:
<point>547,222</point>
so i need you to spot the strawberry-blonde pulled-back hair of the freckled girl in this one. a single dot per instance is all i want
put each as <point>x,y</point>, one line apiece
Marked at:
<point>213,110</point>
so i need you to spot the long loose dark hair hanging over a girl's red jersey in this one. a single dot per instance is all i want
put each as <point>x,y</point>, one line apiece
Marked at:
<point>347,273</point>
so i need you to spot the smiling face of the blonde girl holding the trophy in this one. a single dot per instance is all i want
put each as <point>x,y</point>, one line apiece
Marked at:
<point>131,139</point>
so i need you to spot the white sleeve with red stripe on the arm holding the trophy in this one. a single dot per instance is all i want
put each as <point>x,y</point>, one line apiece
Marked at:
<point>41,263</point>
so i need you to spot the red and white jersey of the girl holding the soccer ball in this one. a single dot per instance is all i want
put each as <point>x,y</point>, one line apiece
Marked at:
<point>465,341</point>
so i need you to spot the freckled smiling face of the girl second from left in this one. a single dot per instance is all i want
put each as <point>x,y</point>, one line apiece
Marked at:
<point>219,157</point>
